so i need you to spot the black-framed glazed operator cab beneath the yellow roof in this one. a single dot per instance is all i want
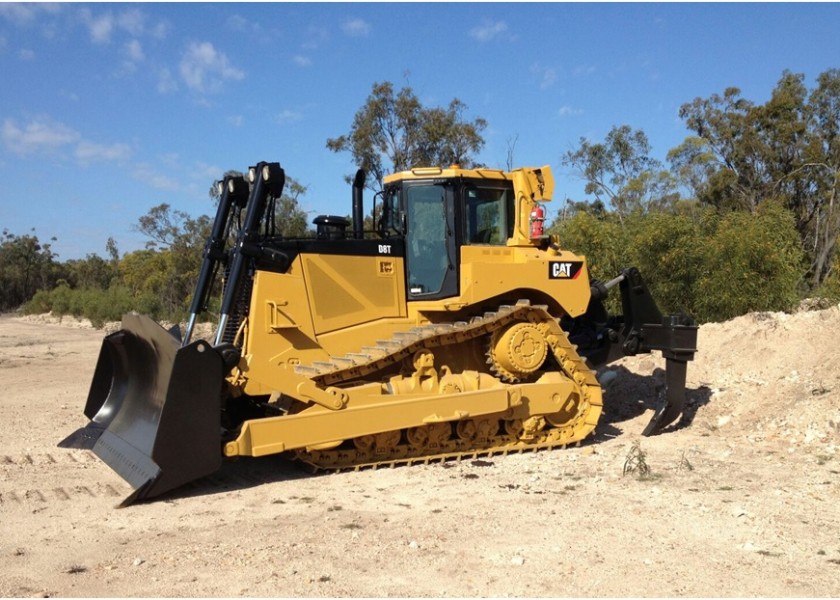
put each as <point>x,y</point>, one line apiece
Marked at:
<point>435,217</point>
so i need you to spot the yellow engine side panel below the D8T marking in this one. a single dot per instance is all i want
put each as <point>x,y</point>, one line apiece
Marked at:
<point>326,304</point>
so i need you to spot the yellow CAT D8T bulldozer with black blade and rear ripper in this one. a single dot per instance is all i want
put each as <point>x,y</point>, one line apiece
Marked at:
<point>453,327</point>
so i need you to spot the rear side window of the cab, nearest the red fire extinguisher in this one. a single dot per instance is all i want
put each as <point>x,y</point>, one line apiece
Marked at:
<point>488,215</point>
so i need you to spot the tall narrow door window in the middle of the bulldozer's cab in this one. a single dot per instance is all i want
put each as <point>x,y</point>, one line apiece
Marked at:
<point>426,241</point>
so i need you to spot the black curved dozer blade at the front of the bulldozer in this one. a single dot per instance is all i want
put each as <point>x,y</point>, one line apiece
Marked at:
<point>154,408</point>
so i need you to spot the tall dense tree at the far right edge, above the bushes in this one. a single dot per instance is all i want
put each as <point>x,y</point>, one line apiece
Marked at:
<point>787,149</point>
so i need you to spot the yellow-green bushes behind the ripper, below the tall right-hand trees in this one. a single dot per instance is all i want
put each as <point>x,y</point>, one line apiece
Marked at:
<point>713,266</point>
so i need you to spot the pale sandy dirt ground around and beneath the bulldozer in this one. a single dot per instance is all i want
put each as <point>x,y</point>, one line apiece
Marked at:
<point>742,500</point>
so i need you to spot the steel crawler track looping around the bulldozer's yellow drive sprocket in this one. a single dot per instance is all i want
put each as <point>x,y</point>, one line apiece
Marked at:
<point>489,435</point>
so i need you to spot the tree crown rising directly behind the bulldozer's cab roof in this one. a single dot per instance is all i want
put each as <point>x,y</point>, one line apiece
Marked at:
<point>393,132</point>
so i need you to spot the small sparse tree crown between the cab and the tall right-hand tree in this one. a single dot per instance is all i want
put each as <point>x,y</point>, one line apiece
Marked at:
<point>620,172</point>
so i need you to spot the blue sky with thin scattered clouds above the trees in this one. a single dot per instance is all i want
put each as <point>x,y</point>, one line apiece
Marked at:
<point>109,109</point>
